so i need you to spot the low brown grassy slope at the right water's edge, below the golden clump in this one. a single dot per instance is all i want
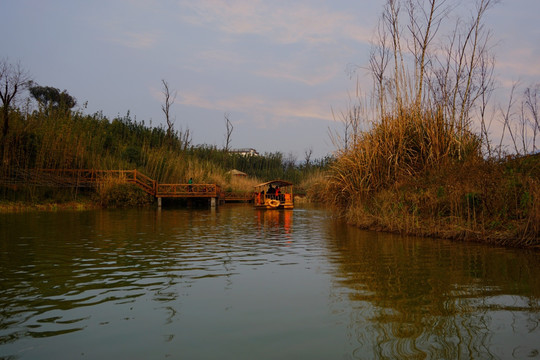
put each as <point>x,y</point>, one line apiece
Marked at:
<point>477,201</point>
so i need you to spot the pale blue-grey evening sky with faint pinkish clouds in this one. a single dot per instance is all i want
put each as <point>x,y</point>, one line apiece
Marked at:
<point>278,69</point>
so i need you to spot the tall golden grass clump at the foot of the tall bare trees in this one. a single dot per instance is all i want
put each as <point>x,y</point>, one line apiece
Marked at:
<point>400,146</point>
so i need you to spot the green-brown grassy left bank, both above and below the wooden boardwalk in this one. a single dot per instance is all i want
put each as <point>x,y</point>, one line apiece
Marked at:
<point>56,138</point>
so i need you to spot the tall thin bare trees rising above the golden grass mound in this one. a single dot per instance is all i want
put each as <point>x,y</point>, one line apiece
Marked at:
<point>416,68</point>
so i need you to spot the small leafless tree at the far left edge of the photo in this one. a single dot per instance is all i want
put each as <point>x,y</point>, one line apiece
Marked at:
<point>13,79</point>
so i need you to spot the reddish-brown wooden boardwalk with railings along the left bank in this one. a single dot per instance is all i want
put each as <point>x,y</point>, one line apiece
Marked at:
<point>91,178</point>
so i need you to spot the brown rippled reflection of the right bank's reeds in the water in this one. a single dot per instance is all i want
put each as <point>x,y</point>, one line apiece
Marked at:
<point>423,298</point>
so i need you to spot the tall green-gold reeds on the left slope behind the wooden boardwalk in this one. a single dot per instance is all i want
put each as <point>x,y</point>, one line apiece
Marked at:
<point>65,140</point>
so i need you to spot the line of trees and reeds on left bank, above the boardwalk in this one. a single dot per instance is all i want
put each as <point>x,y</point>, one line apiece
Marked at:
<point>48,131</point>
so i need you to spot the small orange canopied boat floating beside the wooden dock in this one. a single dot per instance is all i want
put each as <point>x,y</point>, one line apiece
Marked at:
<point>275,194</point>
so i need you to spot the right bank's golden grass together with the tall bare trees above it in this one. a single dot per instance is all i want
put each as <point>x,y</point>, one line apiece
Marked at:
<point>417,166</point>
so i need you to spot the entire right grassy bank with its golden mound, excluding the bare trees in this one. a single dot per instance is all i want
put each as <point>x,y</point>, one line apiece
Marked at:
<point>398,178</point>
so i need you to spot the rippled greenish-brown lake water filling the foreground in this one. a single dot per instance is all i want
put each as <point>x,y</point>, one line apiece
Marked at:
<point>238,283</point>
